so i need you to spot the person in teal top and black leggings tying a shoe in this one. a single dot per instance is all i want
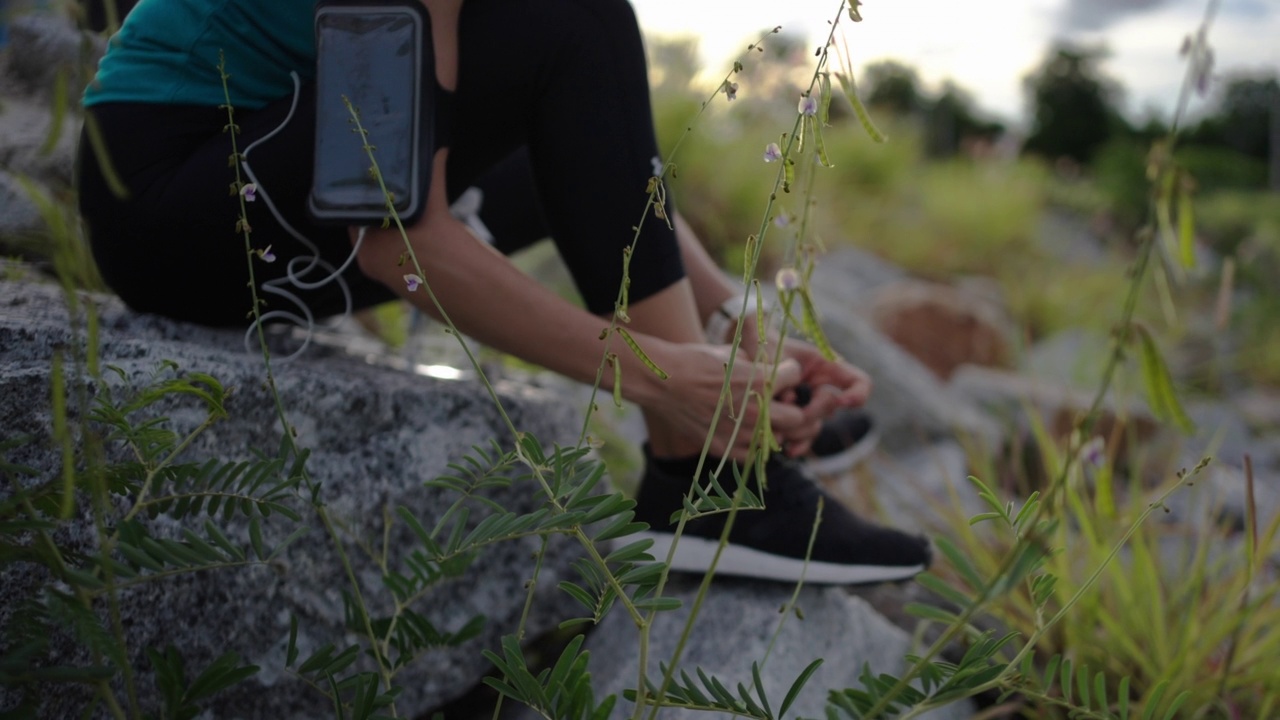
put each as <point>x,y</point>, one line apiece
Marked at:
<point>564,81</point>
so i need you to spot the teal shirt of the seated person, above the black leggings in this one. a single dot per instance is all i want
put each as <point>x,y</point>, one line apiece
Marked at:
<point>170,52</point>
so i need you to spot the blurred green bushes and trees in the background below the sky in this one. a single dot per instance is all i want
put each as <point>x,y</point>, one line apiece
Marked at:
<point>1050,213</point>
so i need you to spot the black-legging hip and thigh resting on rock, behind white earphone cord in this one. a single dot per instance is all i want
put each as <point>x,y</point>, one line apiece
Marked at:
<point>172,247</point>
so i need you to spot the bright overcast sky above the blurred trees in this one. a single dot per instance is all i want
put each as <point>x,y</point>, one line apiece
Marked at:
<point>989,45</point>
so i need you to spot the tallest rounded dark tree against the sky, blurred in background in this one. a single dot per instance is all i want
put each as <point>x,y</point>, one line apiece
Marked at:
<point>1072,104</point>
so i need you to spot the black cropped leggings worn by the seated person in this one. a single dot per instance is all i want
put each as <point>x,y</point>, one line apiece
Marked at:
<point>555,86</point>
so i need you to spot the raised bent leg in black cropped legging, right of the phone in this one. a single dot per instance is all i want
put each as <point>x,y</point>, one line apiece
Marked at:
<point>568,79</point>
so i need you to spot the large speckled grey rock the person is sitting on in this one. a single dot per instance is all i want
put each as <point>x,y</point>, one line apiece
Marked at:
<point>376,436</point>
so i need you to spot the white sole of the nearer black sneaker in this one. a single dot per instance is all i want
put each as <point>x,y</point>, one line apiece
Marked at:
<point>694,555</point>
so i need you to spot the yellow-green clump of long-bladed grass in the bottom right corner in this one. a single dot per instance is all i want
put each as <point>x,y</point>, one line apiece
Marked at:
<point>1180,607</point>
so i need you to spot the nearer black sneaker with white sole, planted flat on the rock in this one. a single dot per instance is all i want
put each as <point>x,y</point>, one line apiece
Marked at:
<point>771,544</point>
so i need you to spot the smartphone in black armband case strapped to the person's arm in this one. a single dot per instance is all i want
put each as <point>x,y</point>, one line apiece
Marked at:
<point>378,57</point>
